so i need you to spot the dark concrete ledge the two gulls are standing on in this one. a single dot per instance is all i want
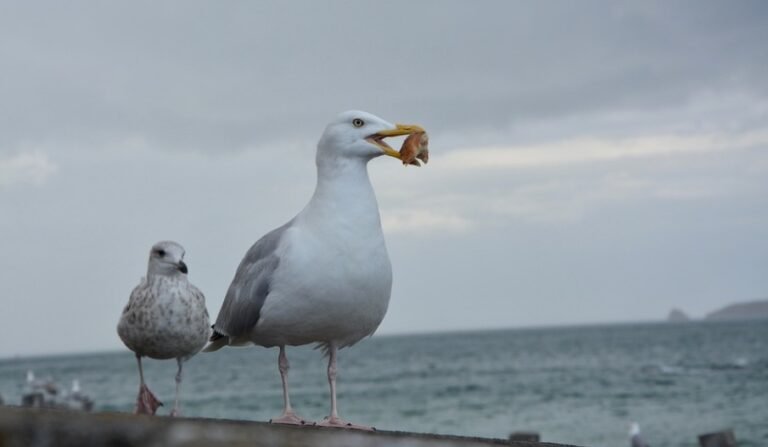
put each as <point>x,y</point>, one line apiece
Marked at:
<point>25,427</point>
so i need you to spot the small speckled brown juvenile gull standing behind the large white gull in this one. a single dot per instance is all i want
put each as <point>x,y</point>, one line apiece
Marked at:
<point>165,318</point>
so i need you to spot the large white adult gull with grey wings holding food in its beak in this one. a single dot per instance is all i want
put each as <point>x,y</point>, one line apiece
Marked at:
<point>324,277</point>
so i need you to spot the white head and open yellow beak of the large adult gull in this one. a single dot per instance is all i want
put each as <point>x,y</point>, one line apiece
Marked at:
<point>360,135</point>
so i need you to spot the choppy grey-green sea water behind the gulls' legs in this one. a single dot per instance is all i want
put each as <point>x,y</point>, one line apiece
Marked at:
<point>579,385</point>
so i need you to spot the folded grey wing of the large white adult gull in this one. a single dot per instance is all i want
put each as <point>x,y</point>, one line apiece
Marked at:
<point>252,283</point>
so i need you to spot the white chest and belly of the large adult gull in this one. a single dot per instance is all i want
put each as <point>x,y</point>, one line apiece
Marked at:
<point>334,280</point>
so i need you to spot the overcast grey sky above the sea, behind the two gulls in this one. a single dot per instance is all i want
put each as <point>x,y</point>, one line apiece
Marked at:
<point>590,161</point>
